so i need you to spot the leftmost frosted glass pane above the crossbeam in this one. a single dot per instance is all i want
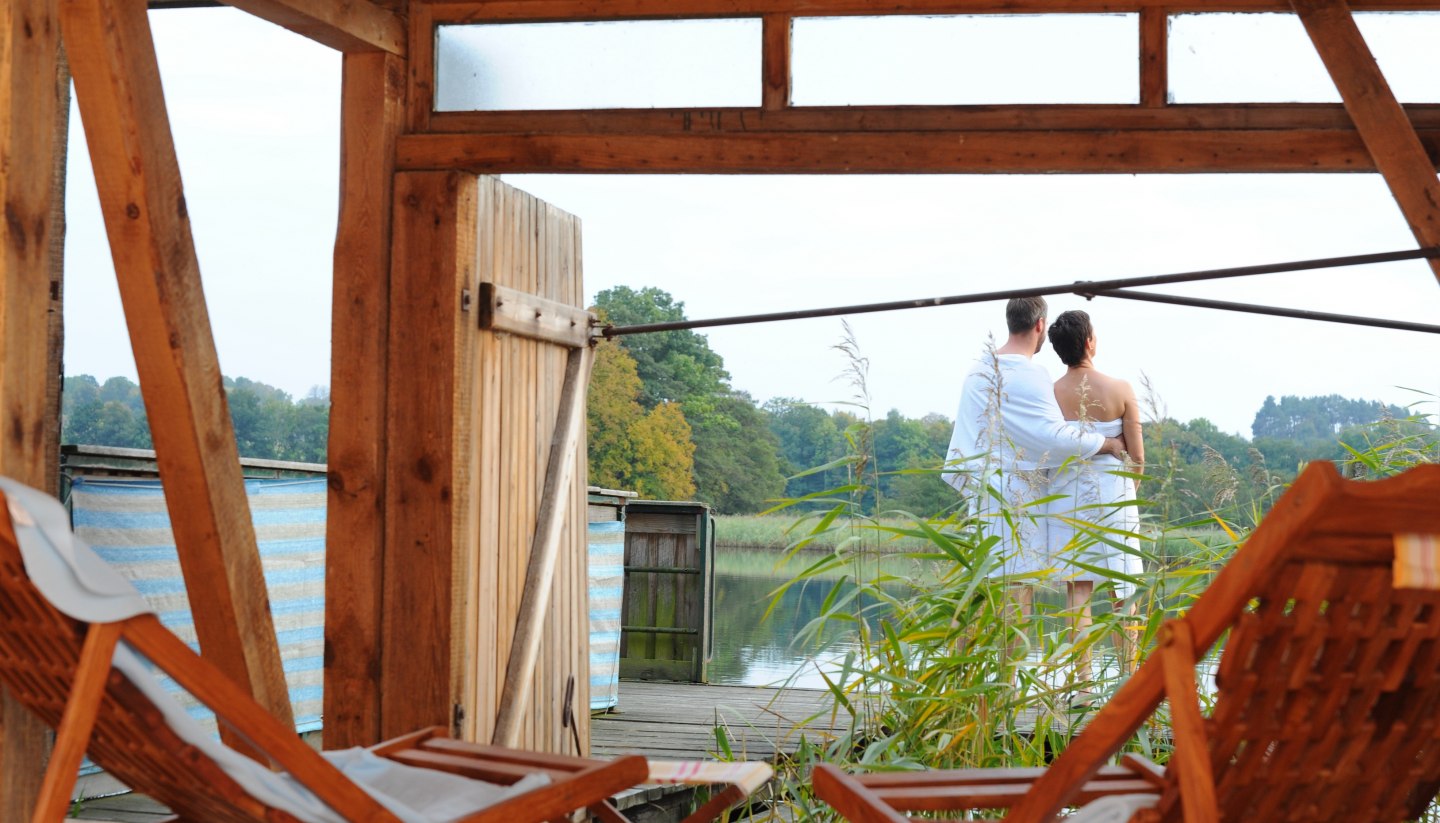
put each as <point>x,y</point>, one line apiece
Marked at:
<point>633,64</point>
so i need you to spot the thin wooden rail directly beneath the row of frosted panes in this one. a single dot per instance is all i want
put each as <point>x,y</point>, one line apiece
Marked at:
<point>1209,117</point>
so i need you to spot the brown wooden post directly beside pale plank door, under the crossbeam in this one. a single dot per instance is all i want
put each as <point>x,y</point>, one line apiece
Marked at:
<point>428,445</point>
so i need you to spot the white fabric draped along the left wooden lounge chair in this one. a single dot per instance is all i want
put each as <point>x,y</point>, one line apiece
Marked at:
<point>77,582</point>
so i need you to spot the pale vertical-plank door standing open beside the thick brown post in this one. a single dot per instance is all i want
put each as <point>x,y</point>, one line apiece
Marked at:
<point>528,245</point>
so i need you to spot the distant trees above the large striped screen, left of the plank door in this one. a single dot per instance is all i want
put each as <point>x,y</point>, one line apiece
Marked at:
<point>269,422</point>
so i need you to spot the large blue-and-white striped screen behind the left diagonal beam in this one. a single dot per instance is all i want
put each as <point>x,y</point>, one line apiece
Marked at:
<point>127,524</point>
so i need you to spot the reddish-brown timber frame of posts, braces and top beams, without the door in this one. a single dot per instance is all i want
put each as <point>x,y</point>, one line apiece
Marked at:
<point>390,132</point>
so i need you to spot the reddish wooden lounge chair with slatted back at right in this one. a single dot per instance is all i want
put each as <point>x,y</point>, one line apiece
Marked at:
<point>1328,703</point>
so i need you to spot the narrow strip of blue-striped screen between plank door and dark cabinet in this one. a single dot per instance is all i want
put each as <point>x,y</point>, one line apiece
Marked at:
<point>607,542</point>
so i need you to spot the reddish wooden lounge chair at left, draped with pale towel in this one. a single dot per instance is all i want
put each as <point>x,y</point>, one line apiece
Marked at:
<point>81,677</point>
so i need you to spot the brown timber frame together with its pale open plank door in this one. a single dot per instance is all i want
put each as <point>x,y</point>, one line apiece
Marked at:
<point>428,511</point>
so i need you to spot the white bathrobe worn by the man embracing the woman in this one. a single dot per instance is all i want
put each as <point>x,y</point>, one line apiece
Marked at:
<point>1009,434</point>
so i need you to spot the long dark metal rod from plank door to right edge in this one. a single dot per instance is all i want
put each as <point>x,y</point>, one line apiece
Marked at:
<point>1084,287</point>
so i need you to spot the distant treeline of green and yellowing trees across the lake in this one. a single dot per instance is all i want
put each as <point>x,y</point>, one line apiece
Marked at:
<point>666,422</point>
